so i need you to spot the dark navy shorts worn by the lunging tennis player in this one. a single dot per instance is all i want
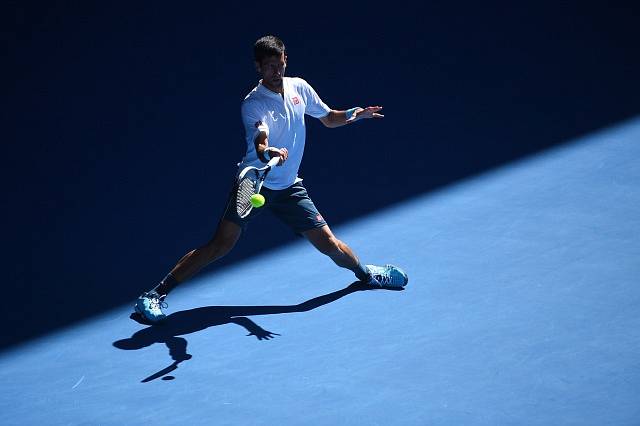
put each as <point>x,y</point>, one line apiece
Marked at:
<point>291,205</point>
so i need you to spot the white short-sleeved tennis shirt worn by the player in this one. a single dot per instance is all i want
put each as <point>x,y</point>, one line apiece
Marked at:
<point>283,120</point>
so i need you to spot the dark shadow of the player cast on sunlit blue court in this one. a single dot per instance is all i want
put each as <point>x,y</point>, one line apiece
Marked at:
<point>192,320</point>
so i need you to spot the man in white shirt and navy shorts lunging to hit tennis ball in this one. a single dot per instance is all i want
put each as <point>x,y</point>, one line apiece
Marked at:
<point>273,117</point>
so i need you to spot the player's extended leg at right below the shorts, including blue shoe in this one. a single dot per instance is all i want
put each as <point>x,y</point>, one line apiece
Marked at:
<point>342,255</point>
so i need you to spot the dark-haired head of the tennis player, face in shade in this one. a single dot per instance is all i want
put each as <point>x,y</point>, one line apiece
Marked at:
<point>271,60</point>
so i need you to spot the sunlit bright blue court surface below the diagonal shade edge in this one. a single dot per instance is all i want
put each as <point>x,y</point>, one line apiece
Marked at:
<point>522,308</point>
